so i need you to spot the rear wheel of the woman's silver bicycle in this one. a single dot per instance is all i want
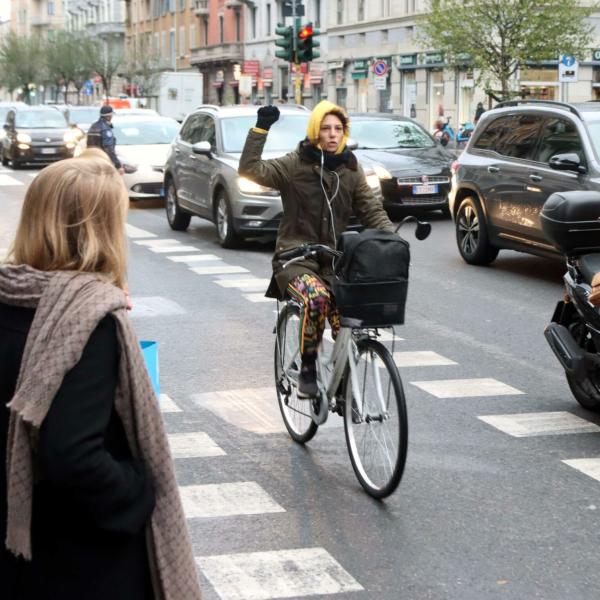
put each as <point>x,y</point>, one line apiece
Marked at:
<point>295,412</point>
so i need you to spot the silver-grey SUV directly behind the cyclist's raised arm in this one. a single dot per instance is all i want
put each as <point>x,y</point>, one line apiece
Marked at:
<point>201,175</point>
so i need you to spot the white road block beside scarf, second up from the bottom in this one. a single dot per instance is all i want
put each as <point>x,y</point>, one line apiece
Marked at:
<point>226,500</point>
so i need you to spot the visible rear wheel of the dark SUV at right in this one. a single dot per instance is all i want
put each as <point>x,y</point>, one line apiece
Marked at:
<point>472,235</point>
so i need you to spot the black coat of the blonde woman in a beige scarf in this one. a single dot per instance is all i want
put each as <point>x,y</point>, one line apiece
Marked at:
<point>93,500</point>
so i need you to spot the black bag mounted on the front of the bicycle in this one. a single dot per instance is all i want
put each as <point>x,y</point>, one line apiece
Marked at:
<point>372,277</point>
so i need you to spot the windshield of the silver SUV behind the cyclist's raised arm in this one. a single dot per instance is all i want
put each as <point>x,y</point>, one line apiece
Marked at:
<point>283,136</point>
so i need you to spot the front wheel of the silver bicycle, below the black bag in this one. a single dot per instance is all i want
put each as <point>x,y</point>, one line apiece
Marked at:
<point>375,419</point>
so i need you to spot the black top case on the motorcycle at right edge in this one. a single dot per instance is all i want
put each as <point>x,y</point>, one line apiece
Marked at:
<point>571,221</point>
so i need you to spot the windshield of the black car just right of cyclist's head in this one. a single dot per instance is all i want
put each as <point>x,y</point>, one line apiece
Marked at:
<point>377,134</point>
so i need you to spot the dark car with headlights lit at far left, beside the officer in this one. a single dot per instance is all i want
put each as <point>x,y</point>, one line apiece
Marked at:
<point>36,135</point>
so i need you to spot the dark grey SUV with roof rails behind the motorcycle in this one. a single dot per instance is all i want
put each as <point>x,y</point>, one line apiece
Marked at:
<point>521,152</point>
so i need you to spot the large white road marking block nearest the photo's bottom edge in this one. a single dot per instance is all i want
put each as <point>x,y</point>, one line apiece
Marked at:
<point>277,574</point>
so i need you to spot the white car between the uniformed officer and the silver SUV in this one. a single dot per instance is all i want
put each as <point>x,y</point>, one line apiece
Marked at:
<point>143,143</point>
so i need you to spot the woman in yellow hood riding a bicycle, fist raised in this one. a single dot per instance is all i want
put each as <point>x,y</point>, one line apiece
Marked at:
<point>321,186</point>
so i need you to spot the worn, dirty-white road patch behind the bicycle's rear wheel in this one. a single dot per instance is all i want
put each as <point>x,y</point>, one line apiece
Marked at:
<point>253,409</point>
